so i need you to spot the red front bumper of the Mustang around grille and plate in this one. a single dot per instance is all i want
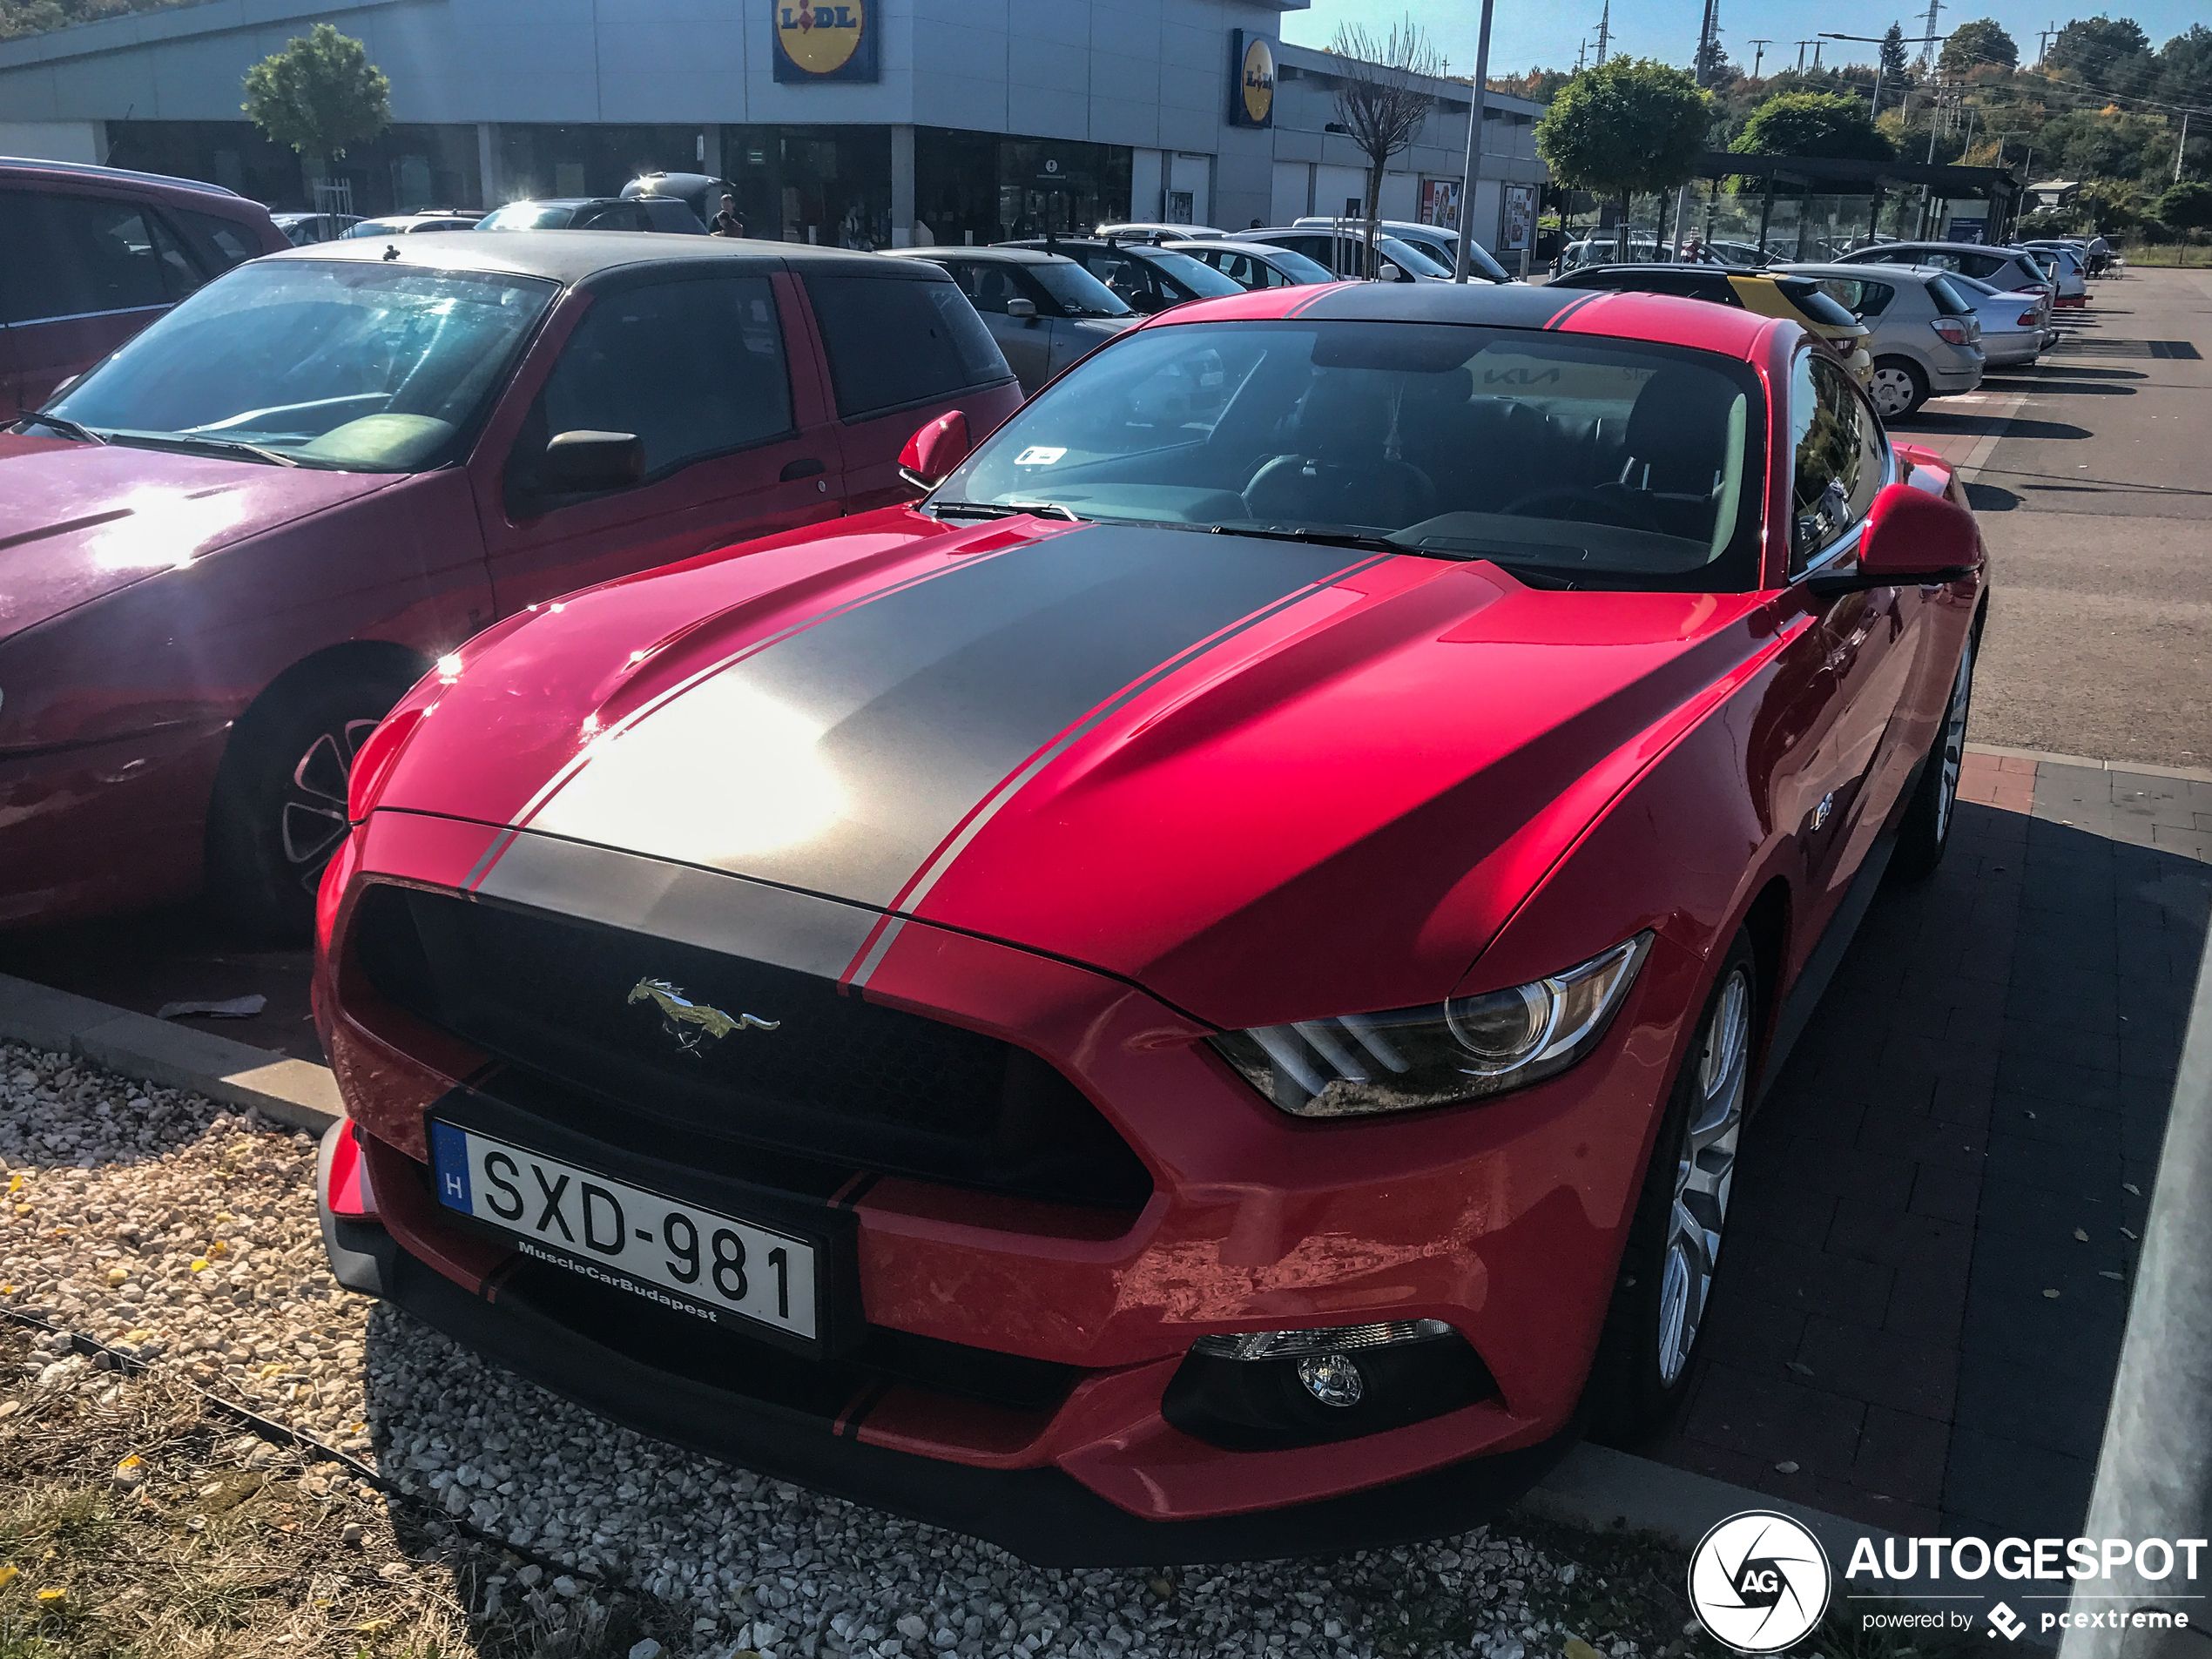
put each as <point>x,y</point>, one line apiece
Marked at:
<point>1501,1220</point>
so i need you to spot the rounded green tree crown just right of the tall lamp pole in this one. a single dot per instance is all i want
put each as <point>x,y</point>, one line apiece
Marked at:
<point>1627,127</point>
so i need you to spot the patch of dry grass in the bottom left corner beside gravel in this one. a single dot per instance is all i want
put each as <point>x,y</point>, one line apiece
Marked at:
<point>216,1545</point>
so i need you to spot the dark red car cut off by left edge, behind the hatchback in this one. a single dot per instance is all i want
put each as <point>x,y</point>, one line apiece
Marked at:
<point>94,255</point>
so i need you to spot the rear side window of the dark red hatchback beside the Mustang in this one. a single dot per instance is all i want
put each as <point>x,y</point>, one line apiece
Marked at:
<point>897,342</point>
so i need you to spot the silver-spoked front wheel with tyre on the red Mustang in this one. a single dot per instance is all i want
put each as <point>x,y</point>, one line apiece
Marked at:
<point>1665,1284</point>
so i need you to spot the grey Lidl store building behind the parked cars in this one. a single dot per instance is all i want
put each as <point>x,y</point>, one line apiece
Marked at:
<point>853,123</point>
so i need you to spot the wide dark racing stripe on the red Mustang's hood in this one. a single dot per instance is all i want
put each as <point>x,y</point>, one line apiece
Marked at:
<point>844,758</point>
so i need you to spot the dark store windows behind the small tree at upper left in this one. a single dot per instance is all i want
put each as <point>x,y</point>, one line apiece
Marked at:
<point>406,167</point>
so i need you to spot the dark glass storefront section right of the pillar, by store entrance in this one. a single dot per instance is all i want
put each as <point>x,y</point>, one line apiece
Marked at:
<point>983,187</point>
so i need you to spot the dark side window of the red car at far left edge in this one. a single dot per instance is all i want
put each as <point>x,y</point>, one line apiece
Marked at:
<point>74,255</point>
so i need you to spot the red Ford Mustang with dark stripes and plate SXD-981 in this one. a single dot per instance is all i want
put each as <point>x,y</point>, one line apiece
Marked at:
<point>1196,992</point>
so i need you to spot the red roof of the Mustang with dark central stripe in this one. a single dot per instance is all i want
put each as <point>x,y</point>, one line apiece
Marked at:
<point>1574,311</point>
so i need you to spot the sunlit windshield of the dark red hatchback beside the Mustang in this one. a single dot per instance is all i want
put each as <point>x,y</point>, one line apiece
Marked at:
<point>324,364</point>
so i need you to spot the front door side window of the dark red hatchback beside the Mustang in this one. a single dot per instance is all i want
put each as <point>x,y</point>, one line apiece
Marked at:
<point>691,368</point>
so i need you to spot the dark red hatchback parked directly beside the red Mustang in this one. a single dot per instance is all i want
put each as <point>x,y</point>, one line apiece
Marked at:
<point>233,545</point>
